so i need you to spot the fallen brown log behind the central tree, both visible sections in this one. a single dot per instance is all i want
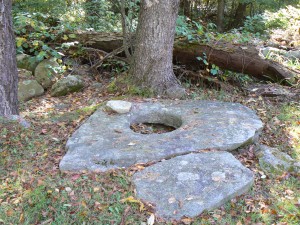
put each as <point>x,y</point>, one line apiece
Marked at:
<point>241,59</point>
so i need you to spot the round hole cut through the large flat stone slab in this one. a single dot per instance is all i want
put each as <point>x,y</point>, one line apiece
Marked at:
<point>155,123</point>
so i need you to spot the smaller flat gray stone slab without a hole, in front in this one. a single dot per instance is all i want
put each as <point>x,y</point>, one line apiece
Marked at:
<point>187,185</point>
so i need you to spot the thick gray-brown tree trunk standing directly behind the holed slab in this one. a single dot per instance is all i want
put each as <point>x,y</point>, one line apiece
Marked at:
<point>152,66</point>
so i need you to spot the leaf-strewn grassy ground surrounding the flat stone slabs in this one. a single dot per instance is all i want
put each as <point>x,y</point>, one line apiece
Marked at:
<point>34,191</point>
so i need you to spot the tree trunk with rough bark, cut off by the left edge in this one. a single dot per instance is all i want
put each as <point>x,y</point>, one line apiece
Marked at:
<point>8,65</point>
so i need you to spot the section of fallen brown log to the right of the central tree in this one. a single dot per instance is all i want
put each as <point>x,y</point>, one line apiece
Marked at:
<point>239,59</point>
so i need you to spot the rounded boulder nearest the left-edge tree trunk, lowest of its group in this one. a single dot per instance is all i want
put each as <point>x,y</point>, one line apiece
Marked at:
<point>29,89</point>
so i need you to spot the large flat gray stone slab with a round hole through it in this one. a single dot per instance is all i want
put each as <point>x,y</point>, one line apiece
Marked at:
<point>105,140</point>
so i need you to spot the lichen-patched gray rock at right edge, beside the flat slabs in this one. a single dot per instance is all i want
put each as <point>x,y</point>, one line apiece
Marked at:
<point>273,161</point>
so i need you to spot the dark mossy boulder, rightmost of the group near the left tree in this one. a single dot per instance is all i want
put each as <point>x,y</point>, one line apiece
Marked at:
<point>66,86</point>
